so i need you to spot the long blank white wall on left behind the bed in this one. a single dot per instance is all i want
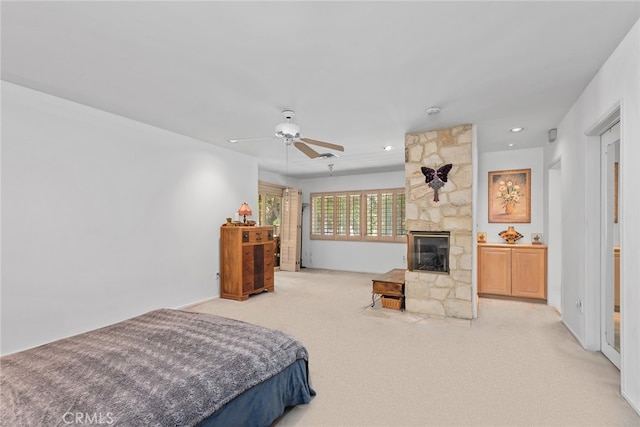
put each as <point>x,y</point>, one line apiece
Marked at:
<point>104,218</point>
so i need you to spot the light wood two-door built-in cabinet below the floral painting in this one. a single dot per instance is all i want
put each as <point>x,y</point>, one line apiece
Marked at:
<point>518,270</point>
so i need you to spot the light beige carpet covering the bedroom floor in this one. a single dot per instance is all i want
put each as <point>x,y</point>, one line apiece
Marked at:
<point>516,365</point>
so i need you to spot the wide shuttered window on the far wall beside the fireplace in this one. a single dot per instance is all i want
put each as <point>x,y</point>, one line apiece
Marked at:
<point>374,215</point>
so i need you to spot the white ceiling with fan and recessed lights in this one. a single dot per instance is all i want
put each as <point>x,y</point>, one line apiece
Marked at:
<point>359,74</point>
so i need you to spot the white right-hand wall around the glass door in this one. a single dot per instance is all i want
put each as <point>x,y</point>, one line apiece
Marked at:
<point>616,83</point>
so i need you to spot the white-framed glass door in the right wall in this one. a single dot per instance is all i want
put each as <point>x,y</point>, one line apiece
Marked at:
<point>610,341</point>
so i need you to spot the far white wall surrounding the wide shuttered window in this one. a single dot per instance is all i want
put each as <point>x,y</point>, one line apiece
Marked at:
<point>374,257</point>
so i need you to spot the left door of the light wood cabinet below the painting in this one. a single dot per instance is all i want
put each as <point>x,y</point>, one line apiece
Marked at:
<point>494,270</point>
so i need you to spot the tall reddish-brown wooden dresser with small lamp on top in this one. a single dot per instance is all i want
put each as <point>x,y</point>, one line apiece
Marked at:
<point>246,261</point>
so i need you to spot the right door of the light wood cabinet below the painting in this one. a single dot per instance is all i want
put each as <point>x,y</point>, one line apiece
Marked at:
<point>528,273</point>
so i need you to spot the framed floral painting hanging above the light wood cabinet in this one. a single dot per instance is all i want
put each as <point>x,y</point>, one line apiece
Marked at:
<point>510,196</point>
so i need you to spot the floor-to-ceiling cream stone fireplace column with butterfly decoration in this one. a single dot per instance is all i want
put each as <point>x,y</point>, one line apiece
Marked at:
<point>439,294</point>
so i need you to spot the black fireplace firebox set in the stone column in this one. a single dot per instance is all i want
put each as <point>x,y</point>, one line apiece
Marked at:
<point>428,251</point>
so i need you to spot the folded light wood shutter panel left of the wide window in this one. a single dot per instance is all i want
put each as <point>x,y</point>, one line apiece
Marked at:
<point>291,230</point>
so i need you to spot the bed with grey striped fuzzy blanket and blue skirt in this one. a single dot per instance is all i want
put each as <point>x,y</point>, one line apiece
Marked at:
<point>163,368</point>
